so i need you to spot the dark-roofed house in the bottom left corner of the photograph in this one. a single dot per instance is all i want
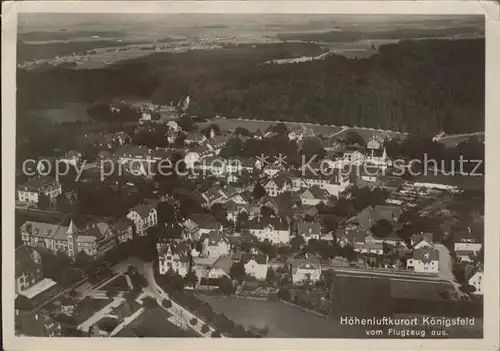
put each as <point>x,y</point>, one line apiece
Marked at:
<point>36,324</point>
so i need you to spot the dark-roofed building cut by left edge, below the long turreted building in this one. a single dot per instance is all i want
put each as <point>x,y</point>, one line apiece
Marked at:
<point>28,269</point>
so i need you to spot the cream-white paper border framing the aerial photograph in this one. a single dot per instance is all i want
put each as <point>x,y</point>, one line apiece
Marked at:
<point>490,10</point>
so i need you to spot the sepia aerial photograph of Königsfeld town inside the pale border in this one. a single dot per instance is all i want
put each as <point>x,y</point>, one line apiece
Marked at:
<point>250,176</point>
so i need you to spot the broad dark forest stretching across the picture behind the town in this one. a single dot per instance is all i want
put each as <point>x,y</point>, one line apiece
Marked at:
<point>413,86</point>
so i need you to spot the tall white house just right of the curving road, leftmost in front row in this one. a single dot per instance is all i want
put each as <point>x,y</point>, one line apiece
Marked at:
<point>174,257</point>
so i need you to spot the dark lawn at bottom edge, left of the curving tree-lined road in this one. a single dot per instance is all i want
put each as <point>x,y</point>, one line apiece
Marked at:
<point>154,324</point>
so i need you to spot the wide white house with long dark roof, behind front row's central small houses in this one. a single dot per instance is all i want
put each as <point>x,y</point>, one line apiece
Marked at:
<point>274,229</point>
